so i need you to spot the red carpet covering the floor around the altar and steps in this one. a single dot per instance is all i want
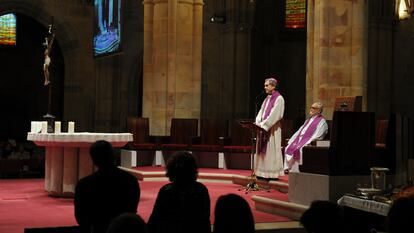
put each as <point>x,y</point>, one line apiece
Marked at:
<point>24,203</point>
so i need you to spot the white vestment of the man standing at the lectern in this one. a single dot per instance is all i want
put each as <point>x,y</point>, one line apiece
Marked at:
<point>270,163</point>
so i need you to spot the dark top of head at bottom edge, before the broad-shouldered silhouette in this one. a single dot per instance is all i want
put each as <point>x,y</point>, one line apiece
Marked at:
<point>127,223</point>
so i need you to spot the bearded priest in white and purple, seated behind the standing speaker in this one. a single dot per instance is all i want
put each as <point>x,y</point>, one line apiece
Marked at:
<point>314,128</point>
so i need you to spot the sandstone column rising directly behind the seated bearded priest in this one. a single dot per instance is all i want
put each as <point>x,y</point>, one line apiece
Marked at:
<point>336,51</point>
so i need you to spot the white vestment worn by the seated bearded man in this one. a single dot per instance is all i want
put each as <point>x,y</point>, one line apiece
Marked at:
<point>321,130</point>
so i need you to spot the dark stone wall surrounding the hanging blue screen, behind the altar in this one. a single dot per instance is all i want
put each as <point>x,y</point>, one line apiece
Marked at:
<point>98,93</point>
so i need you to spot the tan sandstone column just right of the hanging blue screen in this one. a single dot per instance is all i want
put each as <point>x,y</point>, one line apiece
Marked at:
<point>172,61</point>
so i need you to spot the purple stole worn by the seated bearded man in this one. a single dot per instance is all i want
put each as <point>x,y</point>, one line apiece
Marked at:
<point>294,147</point>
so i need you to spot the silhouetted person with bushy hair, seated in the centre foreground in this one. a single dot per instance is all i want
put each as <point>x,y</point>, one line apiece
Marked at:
<point>183,205</point>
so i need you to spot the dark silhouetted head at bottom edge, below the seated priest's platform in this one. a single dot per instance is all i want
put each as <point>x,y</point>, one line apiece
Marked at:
<point>323,217</point>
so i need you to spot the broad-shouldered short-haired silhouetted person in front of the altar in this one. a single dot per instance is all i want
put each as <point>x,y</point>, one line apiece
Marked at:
<point>105,194</point>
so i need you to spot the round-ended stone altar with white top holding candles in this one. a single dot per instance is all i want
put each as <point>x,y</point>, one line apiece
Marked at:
<point>67,157</point>
